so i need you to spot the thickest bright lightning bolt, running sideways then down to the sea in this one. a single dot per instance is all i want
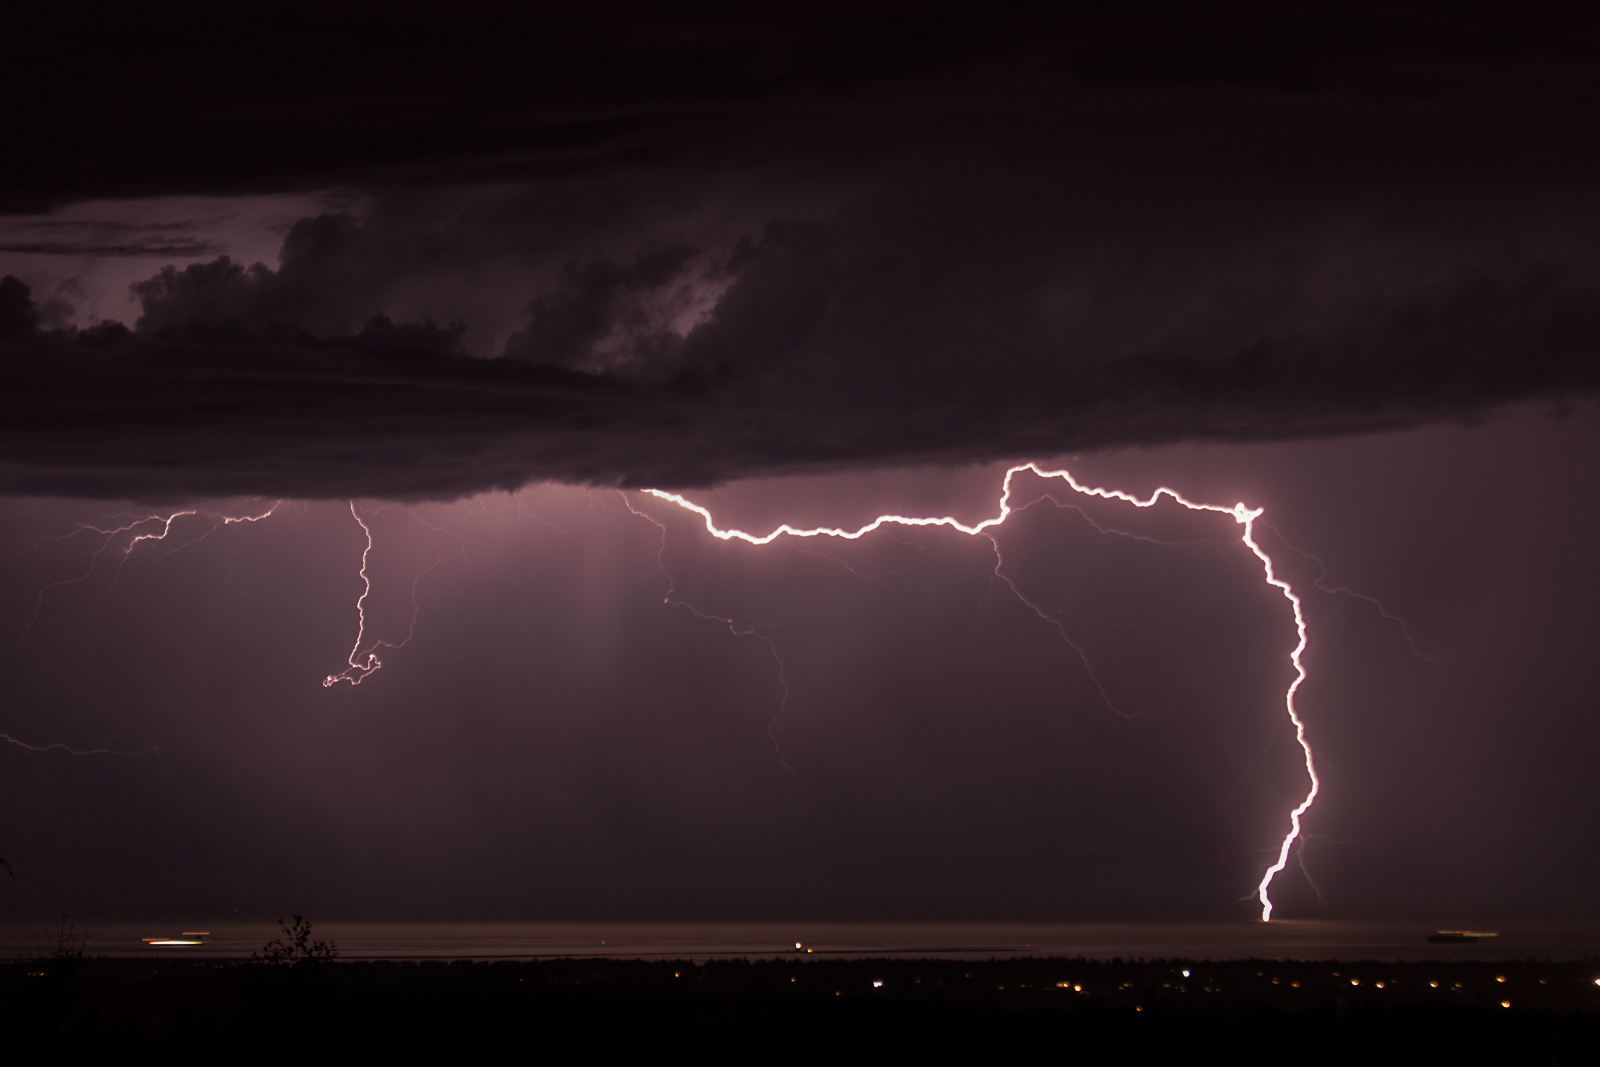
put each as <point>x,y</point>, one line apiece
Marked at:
<point>1244,516</point>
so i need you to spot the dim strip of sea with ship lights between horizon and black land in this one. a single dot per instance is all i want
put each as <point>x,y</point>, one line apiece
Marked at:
<point>1287,940</point>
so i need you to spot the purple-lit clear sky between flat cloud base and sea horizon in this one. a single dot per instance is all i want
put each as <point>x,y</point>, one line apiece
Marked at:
<point>554,732</point>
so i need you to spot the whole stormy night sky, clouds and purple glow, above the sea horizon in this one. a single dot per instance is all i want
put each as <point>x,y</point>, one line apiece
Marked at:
<point>452,286</point>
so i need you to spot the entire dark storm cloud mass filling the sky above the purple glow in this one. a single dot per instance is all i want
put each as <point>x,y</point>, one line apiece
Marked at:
<point>734,246</point>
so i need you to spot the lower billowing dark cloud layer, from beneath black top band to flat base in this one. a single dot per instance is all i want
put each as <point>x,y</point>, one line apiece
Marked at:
<point>942,327</point>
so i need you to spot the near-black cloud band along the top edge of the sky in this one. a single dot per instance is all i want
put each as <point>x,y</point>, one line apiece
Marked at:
<point>169,100</point>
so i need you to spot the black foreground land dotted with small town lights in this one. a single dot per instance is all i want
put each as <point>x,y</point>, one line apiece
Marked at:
<point>1094,1012</point>
